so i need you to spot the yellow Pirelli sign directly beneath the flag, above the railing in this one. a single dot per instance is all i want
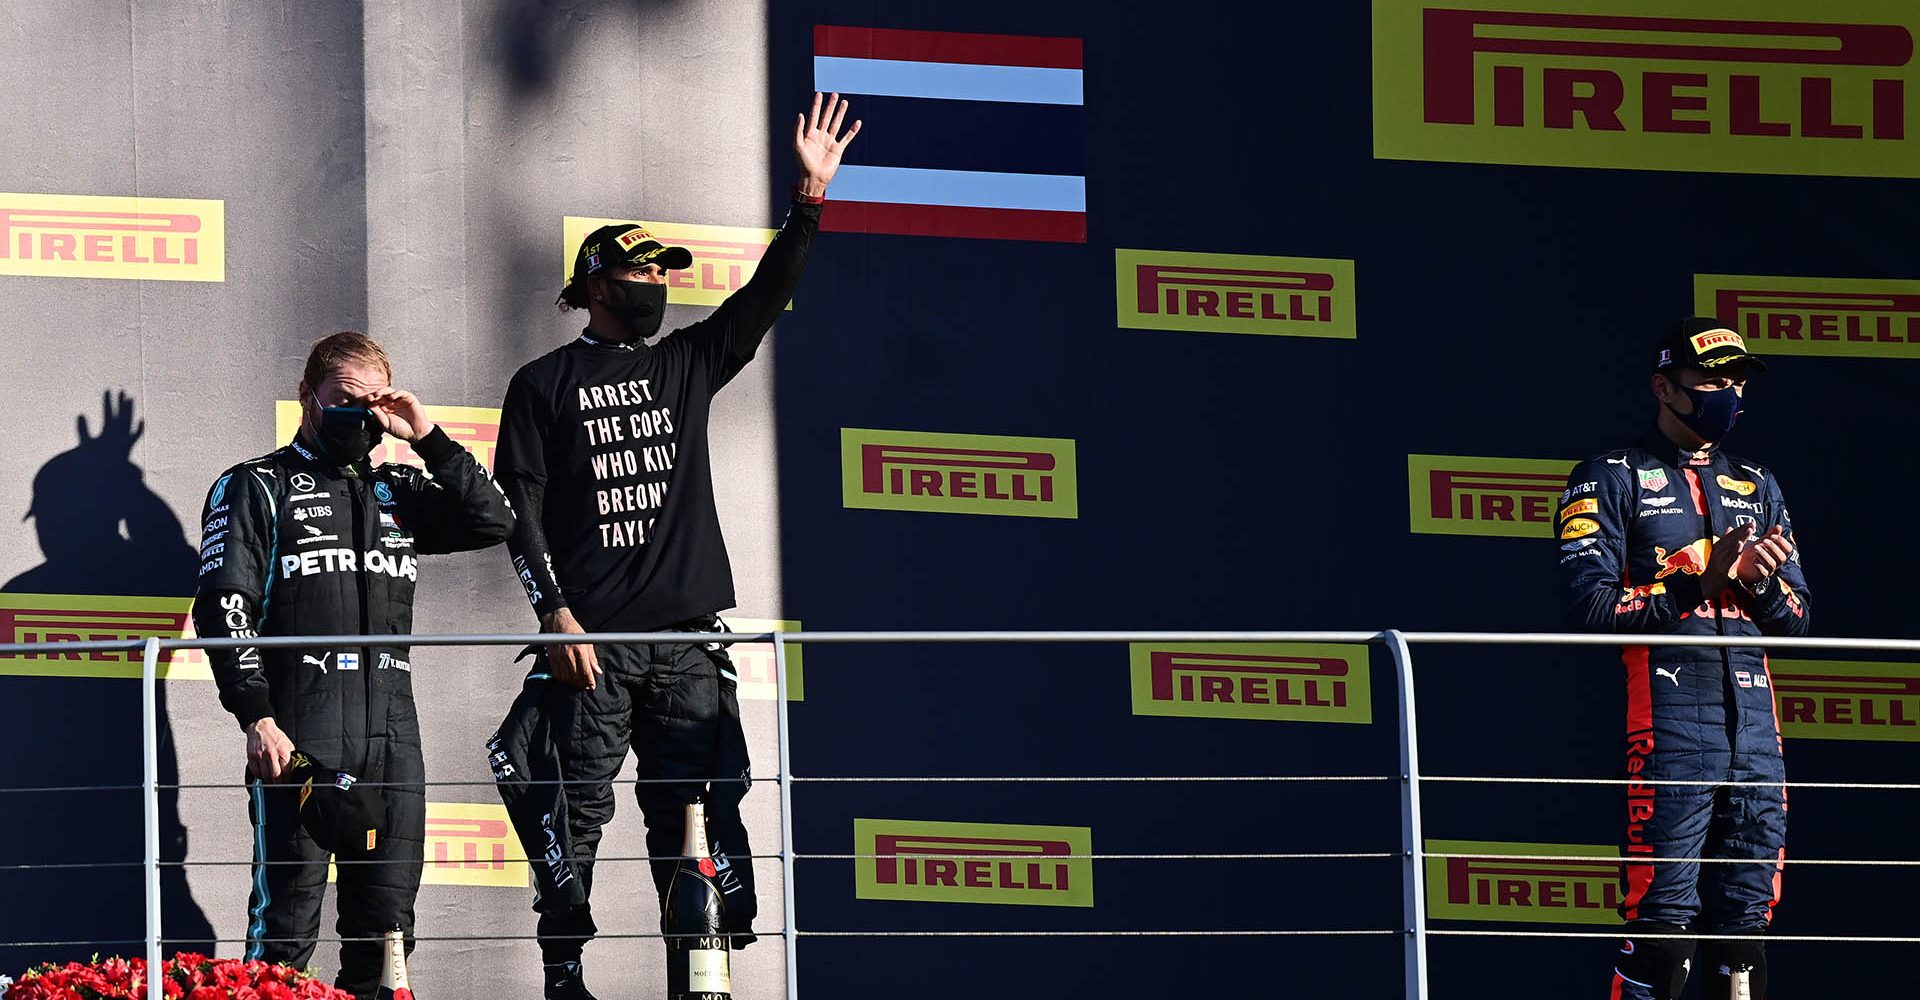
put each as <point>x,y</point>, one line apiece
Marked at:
<point>959,473</point>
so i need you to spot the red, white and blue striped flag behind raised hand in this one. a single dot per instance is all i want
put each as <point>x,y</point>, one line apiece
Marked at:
<point>982,139</point>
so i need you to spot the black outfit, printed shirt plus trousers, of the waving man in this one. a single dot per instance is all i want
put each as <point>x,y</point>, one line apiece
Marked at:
<point>604,452</point>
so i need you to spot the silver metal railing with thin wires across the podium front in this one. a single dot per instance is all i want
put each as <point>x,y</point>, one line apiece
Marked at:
<point>1399,646</point>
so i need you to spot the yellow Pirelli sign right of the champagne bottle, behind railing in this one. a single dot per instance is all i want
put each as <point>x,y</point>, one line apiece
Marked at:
<point>972,863</point>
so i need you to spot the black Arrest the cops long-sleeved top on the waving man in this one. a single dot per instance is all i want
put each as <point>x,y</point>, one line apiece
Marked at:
<point>604,452</point>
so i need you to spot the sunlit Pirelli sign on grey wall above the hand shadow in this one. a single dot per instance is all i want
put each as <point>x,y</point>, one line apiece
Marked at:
<point>93,237</point>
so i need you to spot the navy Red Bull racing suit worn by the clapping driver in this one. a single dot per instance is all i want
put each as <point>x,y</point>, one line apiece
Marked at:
<point>1637,529</point>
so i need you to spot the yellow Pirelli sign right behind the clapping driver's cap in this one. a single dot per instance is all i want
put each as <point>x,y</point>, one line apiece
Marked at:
<point>1821,318</point>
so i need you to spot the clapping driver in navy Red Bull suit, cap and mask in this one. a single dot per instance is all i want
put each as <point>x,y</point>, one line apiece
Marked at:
<point>1677,536</point>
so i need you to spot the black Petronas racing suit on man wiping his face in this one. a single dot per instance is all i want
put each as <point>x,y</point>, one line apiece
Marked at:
<point>295,546</point>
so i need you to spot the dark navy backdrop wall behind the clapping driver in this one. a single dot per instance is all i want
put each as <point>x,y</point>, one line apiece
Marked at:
<point>1260,483</point>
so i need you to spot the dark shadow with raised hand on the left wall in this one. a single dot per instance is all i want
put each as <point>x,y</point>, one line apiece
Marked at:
<point>103,533</point>
